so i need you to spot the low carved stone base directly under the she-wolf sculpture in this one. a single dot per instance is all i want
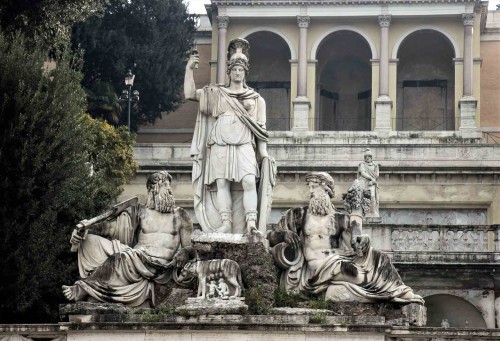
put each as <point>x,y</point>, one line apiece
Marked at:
<point>213,306</point>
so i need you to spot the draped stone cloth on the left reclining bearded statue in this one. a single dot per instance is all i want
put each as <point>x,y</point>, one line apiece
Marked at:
<point>114,272</point>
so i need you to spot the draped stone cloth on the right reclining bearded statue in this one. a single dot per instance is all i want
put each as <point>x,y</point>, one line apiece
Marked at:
<point>370,276</point>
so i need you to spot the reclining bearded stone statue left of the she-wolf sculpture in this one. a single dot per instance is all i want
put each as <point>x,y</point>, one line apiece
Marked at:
<point>122,253</point>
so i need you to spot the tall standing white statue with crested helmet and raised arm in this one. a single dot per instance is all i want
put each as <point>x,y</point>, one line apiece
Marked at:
<point>230,136</point>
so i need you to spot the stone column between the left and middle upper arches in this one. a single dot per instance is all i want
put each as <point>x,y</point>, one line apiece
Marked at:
<point>301,103</point>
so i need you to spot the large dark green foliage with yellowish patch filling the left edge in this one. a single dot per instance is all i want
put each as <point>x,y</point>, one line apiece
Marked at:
<point>47,147</point>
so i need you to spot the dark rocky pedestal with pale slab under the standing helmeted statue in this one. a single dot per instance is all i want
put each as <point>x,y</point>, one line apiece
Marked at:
<point>258,273</point>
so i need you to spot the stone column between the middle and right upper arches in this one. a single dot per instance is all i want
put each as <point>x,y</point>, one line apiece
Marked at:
<point>383,104</point>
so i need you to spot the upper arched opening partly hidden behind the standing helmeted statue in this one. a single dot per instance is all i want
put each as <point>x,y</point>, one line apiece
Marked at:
<point>270,76</point>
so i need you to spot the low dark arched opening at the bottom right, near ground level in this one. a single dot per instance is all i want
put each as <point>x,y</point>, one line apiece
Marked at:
<point>458,312</point>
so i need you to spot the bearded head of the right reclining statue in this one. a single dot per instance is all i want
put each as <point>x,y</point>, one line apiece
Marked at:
<point>320,203</point>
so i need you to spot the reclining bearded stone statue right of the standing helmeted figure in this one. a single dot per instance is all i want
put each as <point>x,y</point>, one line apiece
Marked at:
<point>318,252</point>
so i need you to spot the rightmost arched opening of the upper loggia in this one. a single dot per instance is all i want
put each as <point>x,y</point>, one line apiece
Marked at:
<point>426,82</point>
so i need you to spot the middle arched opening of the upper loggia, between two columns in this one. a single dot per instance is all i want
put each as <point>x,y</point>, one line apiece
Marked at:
<point>343,97</point>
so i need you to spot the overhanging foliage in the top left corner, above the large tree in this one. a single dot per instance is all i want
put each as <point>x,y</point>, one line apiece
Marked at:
<point>48,21</point>
